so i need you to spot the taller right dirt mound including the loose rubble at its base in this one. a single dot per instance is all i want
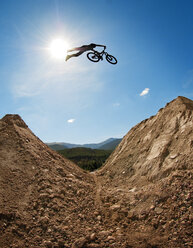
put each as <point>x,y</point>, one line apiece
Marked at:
<point>146,184</point>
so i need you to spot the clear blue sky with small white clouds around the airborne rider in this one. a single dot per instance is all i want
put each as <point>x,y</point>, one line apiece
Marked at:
<point>79,101</point>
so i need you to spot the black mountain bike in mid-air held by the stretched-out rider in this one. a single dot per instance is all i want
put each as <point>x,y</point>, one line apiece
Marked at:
<point>96,56</point>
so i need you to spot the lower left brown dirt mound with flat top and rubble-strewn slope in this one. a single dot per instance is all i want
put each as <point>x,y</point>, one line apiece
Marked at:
<point>45,200</point>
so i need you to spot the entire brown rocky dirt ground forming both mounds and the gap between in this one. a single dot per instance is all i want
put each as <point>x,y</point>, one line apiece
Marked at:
<point>141,197</point>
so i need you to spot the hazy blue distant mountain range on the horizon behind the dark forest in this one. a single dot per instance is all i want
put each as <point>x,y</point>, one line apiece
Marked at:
<point>105,145</point>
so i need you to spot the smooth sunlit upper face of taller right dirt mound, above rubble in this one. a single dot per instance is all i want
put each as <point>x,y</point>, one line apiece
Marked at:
<point>155,147</point>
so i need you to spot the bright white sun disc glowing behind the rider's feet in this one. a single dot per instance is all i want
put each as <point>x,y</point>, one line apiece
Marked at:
<point>58,48</point>
